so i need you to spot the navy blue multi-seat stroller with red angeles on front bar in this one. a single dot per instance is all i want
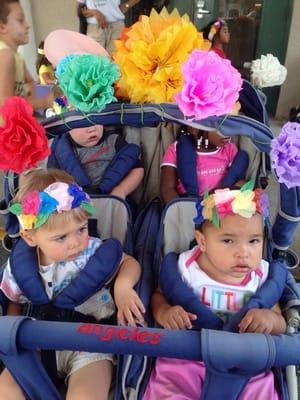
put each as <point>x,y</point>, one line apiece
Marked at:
<point>154,233</point>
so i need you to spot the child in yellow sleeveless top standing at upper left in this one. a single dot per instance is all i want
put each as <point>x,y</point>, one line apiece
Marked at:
<point>15,79</point>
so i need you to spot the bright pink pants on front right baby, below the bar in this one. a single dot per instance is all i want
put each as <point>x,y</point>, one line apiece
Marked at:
<point>183,380</point>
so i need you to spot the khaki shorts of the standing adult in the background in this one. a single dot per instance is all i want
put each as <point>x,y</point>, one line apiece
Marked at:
<point>106,36</point>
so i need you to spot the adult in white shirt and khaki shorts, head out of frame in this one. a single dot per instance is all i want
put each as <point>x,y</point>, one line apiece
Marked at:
<point>105,19</point>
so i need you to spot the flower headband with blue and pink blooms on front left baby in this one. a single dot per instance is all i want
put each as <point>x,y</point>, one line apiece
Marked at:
<point>36,207</point>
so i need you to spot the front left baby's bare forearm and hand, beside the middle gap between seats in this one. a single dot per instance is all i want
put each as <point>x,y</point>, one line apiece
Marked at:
<point>128,303</point>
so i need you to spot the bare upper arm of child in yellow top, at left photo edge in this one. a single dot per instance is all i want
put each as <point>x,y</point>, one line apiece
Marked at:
<point>7,74</point>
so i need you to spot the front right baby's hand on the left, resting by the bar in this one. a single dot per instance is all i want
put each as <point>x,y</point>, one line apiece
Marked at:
<point>170,317</point>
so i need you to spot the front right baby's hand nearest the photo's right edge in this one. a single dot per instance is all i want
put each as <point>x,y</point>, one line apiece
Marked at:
<point>263,321</point>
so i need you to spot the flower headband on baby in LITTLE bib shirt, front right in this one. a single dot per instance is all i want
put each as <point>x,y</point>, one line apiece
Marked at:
<point>244,202</point>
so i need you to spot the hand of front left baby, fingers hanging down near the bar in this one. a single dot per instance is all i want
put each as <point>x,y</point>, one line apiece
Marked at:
<point>129,307</point>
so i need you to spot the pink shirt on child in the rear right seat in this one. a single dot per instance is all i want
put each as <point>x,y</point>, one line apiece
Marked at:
<point>211,167</point>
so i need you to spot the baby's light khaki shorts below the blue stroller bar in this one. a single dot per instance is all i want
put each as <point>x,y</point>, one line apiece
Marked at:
<point>70,361</point>
